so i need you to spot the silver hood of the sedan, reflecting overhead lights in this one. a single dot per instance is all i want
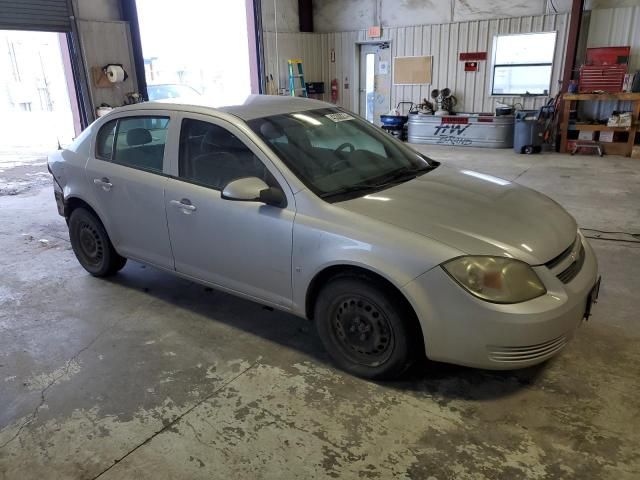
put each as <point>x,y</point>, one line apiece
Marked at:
<point>475,213</point>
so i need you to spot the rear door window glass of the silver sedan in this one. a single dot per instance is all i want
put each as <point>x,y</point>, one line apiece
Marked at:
<point>140,142</point>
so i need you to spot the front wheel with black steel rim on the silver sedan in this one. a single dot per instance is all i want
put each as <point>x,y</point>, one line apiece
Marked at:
<point>367,331</point>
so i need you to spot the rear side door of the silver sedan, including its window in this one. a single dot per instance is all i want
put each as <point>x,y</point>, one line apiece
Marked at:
<point>125,174</point>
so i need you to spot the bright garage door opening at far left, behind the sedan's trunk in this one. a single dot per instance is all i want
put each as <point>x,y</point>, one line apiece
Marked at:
<point>38,106</point>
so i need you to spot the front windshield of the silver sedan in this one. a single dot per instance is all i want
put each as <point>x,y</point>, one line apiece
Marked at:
<point>338,155</point>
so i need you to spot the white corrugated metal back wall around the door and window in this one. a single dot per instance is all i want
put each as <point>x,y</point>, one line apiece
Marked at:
<point>444,42</point>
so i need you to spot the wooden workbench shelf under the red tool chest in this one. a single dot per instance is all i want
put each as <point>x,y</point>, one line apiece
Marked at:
<point>613,148</point>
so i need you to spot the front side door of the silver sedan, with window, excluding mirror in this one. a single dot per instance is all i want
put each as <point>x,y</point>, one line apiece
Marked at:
<point>241,246</point>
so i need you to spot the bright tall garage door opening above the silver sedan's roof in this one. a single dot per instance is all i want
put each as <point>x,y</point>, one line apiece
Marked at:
<point>196,51</point>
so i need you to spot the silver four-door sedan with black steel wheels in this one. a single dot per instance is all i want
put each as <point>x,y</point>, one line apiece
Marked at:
<point>302,206</point>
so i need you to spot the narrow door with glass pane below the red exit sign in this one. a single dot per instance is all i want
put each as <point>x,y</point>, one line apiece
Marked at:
<point>375,81</point>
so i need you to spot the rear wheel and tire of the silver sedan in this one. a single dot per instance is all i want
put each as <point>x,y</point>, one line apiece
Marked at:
<point>92,246</point>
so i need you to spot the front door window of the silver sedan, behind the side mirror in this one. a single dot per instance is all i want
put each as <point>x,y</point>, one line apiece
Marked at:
<point>212,156</point>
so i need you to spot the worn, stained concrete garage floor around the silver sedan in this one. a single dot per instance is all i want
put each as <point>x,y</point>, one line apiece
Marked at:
<point>149,376</point>
